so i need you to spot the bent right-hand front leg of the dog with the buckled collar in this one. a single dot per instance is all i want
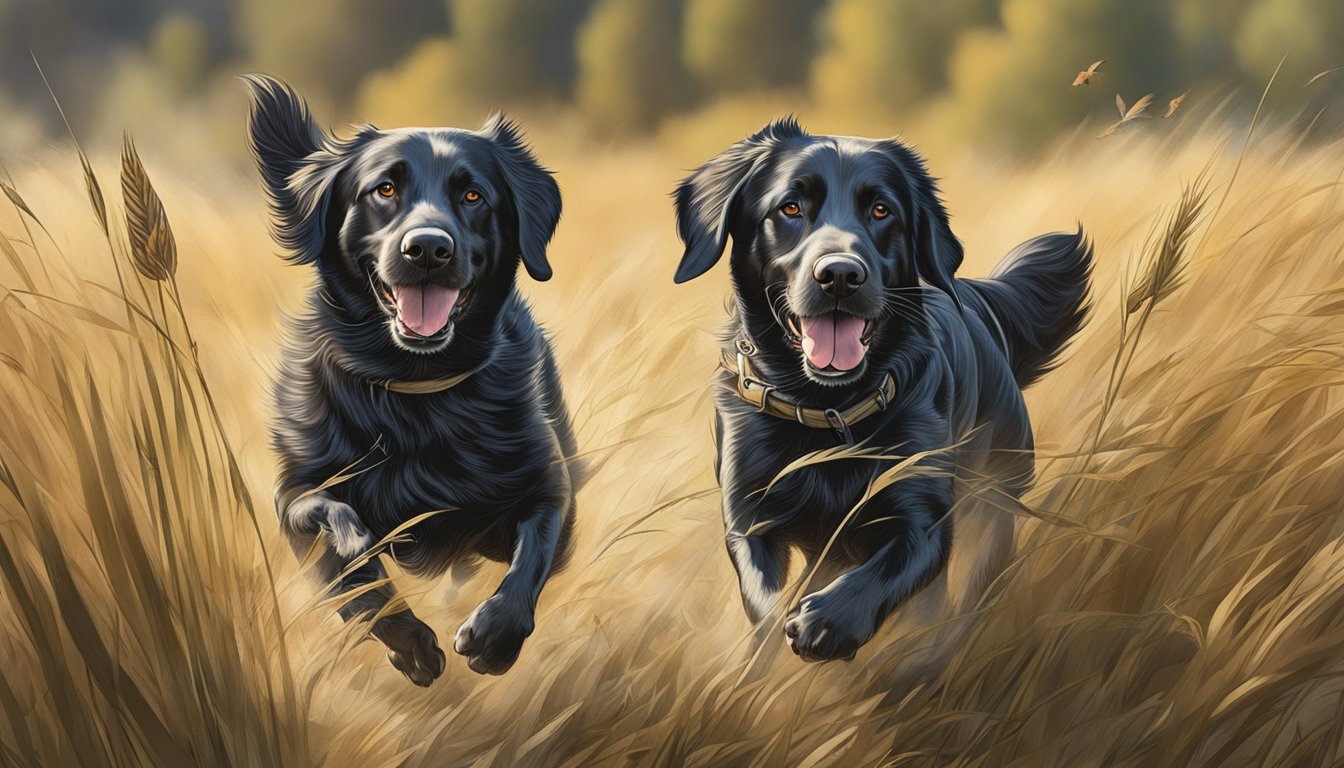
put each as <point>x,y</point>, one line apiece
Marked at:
<point>834,622</point>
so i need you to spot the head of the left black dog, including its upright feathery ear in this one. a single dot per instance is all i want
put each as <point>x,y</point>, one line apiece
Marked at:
<point>417,229</point>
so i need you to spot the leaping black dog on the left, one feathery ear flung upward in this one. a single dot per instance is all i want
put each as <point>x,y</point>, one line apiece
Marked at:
<point>417,381</point>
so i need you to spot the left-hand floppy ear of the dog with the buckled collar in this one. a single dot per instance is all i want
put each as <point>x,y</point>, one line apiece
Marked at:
<point>706,201</point>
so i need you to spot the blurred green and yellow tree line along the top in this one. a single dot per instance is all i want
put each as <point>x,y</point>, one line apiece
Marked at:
<point>998,71</point>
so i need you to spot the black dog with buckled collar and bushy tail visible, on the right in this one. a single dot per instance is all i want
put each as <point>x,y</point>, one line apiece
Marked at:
<point>850,328</point>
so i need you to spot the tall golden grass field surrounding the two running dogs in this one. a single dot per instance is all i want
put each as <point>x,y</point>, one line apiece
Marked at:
<point>1177,595</point>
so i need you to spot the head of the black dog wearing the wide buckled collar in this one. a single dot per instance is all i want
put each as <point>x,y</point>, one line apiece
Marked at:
<point>835,241</point>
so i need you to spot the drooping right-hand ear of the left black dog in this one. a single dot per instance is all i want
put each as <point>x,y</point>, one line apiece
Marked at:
<point>537,197</point>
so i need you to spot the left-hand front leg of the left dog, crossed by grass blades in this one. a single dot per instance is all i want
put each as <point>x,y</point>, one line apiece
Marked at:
<point>412,646</point>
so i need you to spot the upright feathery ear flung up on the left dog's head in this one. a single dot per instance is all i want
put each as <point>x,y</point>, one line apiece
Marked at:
<point>298,162</point>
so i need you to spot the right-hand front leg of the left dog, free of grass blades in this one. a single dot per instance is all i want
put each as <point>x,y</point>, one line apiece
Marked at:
<point>493,637</point>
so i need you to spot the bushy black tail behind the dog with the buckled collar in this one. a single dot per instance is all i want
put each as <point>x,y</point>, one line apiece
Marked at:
<point>1036,301</point>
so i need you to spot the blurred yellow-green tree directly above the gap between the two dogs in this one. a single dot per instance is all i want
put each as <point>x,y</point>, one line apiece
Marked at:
<point>630,69</point>
